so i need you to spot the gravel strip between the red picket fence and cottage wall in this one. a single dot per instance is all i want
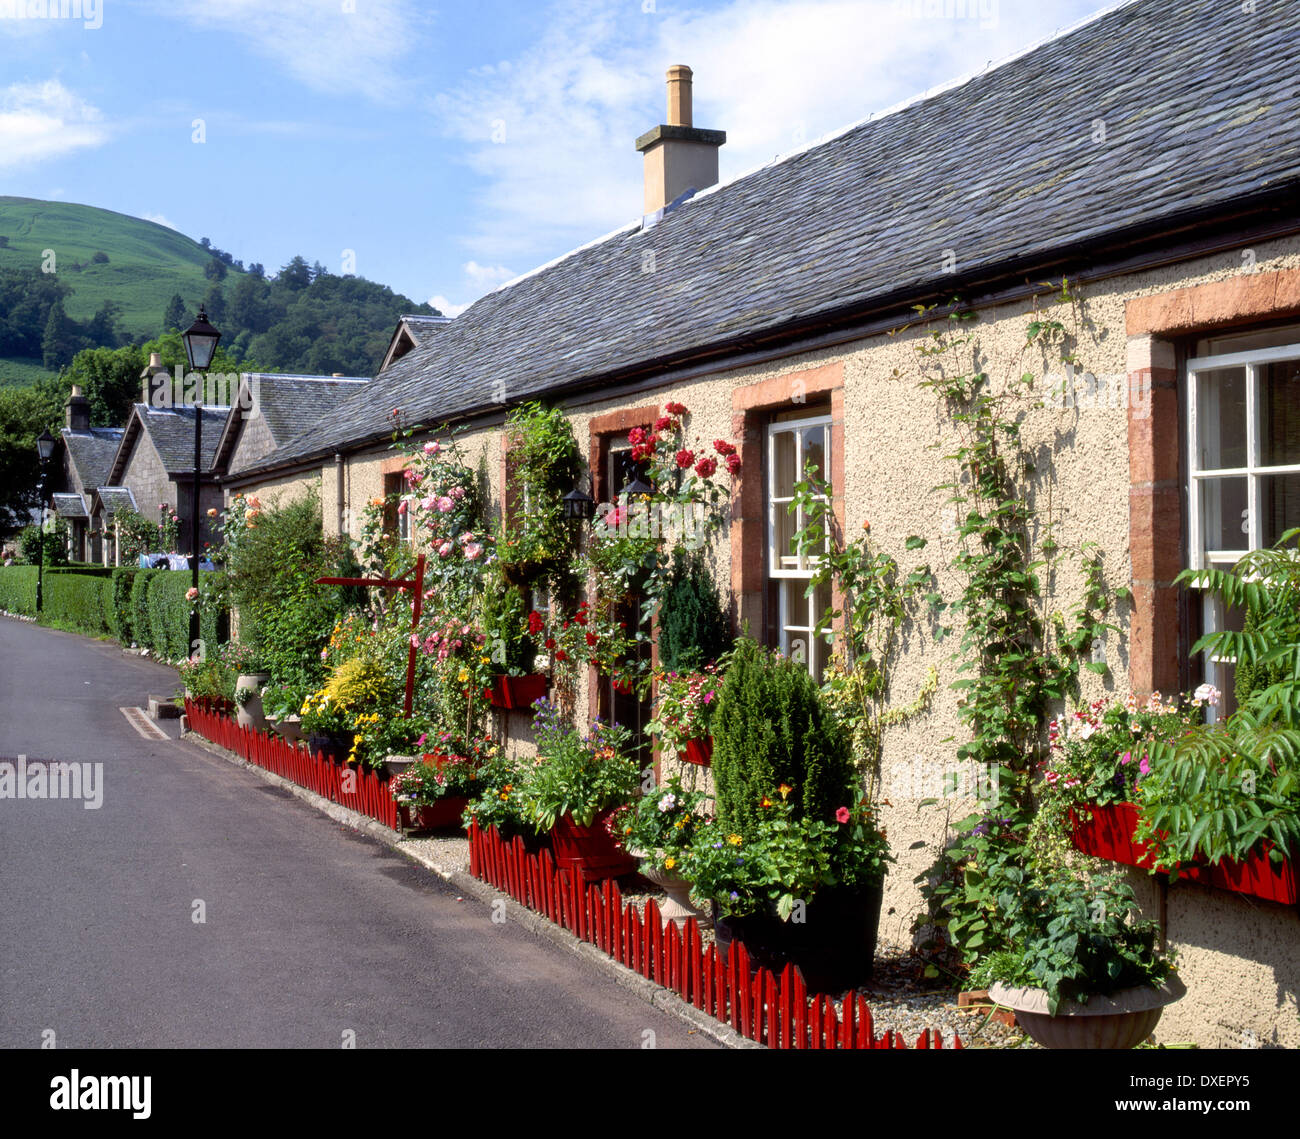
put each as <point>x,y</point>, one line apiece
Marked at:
<point>900,997</point>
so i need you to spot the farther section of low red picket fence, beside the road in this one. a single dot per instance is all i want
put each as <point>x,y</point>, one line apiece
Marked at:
<point>365,792</point>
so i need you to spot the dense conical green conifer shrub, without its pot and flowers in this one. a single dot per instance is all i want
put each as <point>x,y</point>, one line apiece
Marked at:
<point>772,730</point>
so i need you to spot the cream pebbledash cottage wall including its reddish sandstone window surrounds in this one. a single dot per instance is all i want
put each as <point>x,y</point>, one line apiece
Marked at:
<point>1110,474</point>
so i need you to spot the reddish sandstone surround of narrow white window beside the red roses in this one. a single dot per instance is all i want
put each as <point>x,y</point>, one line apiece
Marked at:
<point>760,414</point>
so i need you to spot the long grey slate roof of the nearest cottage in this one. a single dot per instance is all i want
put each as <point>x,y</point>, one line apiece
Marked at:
<point>1201,105</point>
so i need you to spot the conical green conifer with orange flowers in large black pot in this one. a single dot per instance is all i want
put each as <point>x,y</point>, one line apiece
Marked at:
<point>796,860</point>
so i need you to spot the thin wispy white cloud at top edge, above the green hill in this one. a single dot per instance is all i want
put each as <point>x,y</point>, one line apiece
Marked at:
<point>318,42</point>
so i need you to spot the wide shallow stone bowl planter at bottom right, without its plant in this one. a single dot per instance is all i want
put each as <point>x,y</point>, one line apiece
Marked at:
<point>1123,1020</point>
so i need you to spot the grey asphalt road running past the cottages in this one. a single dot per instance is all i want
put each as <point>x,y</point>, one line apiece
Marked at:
<point>310,932</point>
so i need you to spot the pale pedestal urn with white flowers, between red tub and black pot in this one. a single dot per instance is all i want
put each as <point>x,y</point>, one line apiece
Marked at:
<point>658,829</point>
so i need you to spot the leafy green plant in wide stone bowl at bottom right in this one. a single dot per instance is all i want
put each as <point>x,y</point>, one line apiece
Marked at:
<point>1081,971</point>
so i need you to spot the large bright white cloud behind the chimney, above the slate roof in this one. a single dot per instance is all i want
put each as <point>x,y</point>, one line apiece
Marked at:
<point>551,135</point>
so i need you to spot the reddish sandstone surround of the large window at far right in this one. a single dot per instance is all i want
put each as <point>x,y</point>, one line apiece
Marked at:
<point>1160,466</point>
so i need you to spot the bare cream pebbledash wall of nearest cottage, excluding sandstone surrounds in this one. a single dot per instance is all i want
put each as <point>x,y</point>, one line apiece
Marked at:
<point>1241,959</point>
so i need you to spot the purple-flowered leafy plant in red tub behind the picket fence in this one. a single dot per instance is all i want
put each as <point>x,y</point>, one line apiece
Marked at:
<point>574,785</point>
